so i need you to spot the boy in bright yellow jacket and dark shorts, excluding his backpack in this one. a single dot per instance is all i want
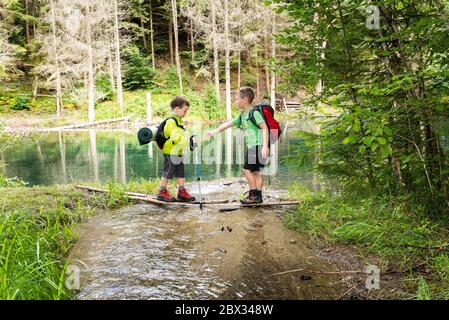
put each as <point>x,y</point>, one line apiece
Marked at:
<point>173,151</point>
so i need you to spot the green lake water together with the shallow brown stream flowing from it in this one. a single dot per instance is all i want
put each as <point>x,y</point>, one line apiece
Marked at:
<point>147,252</point>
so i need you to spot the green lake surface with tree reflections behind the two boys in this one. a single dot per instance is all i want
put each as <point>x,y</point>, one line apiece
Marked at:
<point>100,155</point>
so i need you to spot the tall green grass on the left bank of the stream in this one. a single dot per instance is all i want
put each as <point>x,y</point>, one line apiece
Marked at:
<point>37,232</point>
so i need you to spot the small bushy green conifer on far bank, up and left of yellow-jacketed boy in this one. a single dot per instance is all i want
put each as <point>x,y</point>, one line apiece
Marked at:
<point>138,73</point>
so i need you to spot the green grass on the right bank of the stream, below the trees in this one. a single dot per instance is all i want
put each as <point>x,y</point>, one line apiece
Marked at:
<point>394,229</point>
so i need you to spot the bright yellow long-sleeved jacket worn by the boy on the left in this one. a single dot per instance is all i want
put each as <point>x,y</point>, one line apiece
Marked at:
<point>178,142</point>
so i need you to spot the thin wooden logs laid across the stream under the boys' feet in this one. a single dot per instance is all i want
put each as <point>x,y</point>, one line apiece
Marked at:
<point>147,198</point>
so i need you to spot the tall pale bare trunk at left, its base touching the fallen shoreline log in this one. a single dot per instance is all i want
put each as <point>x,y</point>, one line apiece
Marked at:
<point>90,67</point>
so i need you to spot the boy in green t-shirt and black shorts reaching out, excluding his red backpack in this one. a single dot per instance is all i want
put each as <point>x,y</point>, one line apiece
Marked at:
<point>256,138</point>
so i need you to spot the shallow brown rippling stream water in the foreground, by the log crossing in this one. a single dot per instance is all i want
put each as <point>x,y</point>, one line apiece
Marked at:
<point>145,252</point>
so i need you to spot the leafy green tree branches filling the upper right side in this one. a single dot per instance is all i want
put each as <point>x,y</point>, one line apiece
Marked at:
<point>391,87</point>
